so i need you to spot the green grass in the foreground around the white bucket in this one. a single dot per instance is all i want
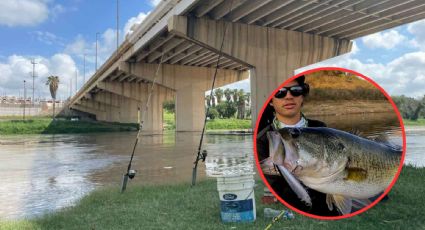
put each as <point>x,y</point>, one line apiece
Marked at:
<point>182,207</point>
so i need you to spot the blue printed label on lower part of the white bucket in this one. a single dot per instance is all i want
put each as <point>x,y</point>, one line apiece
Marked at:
<point>237,211</point>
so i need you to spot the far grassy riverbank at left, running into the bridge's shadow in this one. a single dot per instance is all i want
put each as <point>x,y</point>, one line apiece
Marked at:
<point>48,126</point>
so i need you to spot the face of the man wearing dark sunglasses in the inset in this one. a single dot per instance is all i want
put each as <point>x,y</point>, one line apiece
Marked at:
<point>289,106</point>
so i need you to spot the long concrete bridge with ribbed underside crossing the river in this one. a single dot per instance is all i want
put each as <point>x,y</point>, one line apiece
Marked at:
<point>264,39</point>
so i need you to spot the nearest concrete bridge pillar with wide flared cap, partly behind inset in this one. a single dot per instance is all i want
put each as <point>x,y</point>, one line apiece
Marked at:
<point>273,53</point>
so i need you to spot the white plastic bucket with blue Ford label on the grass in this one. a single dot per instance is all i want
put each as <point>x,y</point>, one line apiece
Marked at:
<point>237,199</point>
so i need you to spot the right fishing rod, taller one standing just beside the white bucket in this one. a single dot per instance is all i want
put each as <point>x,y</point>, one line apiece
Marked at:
<point>202,155</point>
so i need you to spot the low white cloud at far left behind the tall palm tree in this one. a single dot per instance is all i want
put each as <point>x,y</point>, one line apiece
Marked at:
<point>15,69</point>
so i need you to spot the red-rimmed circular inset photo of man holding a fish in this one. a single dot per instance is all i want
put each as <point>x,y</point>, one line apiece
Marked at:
<point>329,143</point>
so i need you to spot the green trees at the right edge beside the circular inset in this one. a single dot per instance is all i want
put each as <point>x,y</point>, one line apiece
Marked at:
<point>410,108</point>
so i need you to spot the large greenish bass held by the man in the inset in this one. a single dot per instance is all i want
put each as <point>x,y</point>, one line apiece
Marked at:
<point>349,169</point>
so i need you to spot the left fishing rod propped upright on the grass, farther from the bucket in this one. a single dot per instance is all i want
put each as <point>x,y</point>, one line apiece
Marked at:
<point>131,173</point>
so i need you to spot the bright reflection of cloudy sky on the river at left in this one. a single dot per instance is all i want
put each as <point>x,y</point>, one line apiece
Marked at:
<point>41,173</point>
